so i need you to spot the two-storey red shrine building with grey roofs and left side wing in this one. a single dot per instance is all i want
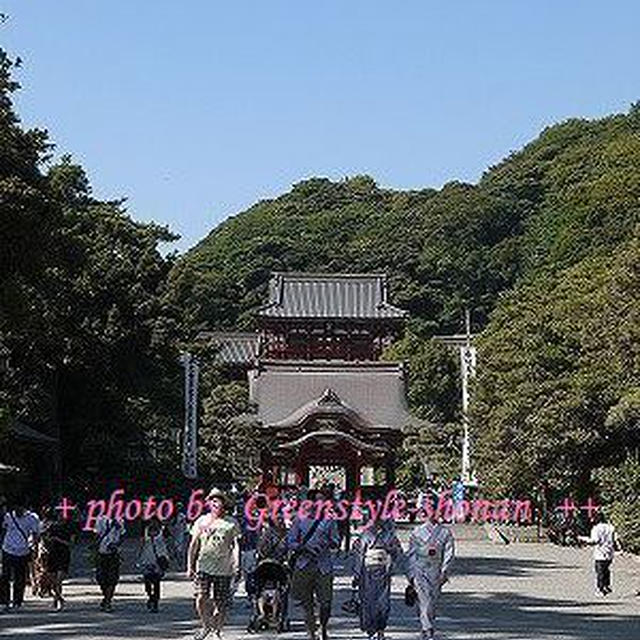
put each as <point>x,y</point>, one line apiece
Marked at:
<point>330,411</point>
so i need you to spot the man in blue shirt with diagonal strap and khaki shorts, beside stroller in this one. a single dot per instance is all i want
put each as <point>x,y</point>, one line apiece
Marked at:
<point>311,541</point>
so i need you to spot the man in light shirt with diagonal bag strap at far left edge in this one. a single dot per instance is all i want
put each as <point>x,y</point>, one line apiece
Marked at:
<point>21,530</point>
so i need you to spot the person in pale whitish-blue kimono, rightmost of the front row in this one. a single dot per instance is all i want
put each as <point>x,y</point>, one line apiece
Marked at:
<point>430,555</point>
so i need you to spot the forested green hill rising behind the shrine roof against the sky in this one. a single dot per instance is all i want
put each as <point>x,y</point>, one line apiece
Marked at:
<point>570,194</point>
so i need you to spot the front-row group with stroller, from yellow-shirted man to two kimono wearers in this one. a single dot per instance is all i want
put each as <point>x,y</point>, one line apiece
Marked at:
<point>296,560</point>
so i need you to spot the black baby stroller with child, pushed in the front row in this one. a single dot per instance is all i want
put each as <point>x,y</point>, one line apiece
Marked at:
<point>271,594</point>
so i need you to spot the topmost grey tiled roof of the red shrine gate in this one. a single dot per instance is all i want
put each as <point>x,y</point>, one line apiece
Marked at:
<point>322,295</point>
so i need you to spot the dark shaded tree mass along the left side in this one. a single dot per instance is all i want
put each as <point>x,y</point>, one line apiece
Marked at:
<point>84,317</point>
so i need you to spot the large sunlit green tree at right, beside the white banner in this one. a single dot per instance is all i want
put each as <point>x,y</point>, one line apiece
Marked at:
<point>556,392</point>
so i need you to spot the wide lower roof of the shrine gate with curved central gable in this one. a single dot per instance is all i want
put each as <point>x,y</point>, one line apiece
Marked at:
<point>287,392</point>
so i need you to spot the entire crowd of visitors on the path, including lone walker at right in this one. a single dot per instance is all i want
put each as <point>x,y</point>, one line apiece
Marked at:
<point>283,559</point>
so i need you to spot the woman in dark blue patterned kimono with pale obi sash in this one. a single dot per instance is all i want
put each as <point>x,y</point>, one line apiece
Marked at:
<point>375,552</point>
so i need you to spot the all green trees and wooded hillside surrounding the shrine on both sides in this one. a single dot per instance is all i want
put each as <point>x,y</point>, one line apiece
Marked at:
<point>543,249</point>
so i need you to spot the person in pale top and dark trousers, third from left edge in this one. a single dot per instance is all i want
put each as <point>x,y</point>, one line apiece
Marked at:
<point>109,533</point>
